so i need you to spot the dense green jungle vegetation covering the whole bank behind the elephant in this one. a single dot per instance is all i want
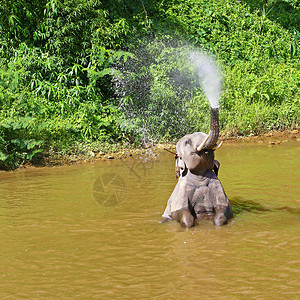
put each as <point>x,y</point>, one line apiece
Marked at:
<point>61,62</point>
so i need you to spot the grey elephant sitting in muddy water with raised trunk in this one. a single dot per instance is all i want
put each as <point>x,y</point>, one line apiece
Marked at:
<point>198,193</point>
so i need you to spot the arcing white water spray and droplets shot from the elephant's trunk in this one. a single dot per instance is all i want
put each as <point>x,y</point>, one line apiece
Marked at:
<point>155,89</point>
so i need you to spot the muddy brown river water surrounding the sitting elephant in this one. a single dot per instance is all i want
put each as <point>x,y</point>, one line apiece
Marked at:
<point>92,231</point>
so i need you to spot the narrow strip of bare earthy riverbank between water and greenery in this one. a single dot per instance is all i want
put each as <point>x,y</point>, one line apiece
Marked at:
<point>122,151</point>
